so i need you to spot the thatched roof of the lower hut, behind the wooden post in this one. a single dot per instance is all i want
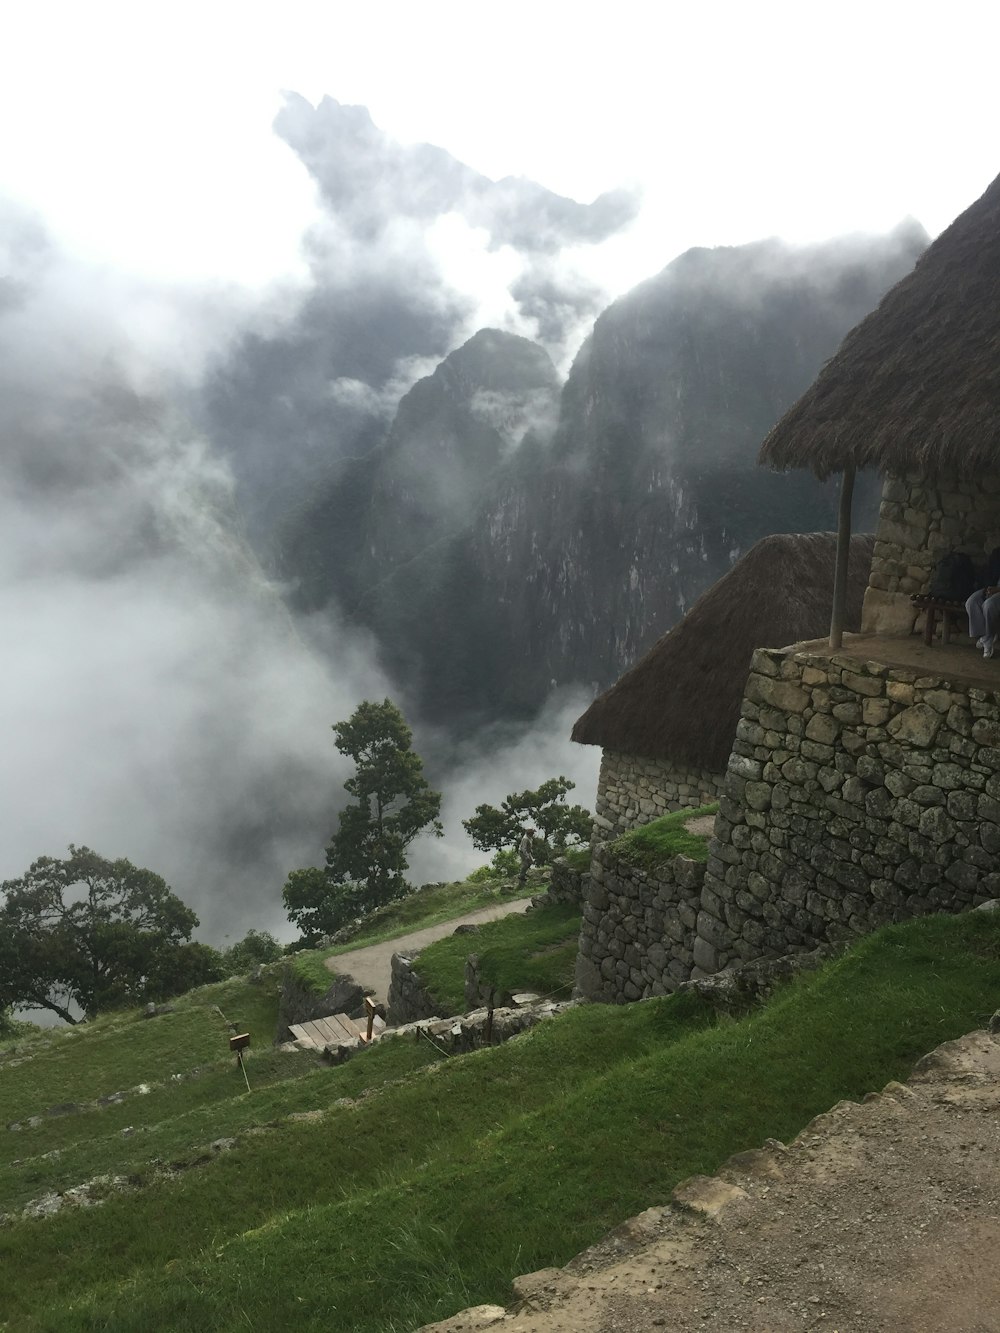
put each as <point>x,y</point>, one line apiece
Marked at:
<point>682,702</point>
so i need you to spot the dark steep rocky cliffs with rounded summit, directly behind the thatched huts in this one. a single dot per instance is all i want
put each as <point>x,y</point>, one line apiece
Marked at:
<point>495,561</point>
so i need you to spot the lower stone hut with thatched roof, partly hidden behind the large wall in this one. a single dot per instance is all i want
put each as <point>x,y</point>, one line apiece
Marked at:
<point>667,726</point>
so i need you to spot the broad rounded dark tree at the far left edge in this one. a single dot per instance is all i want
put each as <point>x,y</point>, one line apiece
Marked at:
<point>95,934</point>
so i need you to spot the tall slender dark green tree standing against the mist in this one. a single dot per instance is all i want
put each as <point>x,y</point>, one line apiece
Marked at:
<point>393,803</point>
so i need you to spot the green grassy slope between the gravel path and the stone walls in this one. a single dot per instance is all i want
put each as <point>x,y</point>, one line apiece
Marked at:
<point>426,1183</point>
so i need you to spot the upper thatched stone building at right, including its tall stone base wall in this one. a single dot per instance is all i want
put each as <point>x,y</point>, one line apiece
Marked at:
<point>865,782</point>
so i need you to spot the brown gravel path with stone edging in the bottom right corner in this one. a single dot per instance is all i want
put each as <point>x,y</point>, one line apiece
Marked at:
<point>882,1216</point>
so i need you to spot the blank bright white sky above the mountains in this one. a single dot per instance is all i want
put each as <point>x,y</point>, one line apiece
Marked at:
<point>142,133</point>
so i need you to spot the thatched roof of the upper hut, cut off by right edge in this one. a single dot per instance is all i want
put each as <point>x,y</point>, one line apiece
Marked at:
<point>917,385</point>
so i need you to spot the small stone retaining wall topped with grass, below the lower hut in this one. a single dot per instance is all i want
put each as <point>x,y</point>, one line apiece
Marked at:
<point>638,936</point>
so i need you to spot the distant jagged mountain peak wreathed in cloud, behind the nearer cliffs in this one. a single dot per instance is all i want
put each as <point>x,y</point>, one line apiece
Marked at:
<point>415,253</point>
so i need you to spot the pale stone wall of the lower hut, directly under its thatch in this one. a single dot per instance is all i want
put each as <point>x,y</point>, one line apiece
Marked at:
<point>633,791</point>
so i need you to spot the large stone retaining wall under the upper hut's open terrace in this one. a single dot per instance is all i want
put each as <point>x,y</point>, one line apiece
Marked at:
<point>857,795</point>
